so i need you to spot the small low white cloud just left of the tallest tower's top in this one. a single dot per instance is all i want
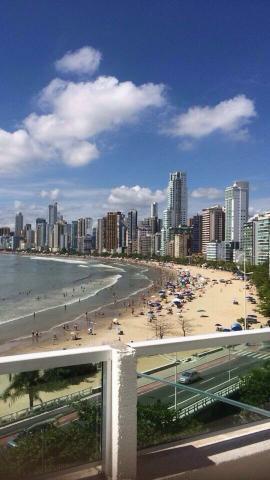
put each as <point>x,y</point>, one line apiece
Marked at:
<point>135,196</point>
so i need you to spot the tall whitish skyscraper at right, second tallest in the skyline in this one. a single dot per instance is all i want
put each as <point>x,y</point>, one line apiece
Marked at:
<point>236,211</point>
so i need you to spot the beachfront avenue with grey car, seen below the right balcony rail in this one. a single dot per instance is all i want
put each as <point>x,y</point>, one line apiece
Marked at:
<point>217,371</point>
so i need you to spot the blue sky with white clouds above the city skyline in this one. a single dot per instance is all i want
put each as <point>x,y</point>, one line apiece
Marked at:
<point>101,100</point>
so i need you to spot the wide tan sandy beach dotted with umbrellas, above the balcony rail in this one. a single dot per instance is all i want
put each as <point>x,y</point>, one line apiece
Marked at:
<point>212,304</point>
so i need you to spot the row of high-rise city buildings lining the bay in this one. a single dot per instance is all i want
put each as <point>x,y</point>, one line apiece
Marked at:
<point>217,232</point>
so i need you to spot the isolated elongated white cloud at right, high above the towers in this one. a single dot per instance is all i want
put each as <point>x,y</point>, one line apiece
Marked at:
<point>229,117</point>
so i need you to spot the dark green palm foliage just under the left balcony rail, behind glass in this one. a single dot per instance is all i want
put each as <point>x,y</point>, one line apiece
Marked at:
<point>32,383</point>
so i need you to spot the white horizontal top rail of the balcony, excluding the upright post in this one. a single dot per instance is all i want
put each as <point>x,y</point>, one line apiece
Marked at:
<point>78,356</point>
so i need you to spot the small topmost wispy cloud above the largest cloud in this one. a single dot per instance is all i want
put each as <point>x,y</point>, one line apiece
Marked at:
<point>82,61</point>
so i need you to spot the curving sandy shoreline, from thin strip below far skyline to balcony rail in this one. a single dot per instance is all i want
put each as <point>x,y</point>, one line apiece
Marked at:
<point>135,325</point>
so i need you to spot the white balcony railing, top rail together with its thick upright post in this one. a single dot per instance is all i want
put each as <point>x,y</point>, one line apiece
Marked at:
<point>119,389</point>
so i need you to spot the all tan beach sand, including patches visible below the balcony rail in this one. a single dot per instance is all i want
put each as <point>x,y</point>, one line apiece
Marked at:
<point>216,301</point>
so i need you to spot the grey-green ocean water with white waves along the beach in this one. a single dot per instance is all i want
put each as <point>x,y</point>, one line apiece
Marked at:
<point>43,292</point>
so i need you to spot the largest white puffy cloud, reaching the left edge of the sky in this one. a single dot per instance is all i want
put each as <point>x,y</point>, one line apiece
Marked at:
<point>72,116</point>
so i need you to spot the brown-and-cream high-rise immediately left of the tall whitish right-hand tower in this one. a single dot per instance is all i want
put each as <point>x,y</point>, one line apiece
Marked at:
<point>213,225</point>
